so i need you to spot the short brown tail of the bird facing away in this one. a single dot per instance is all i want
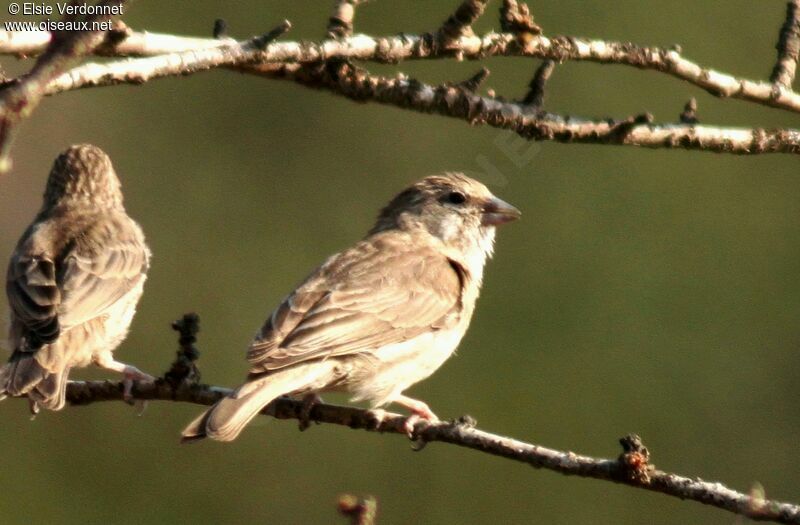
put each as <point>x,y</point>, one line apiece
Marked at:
<point>24,375</point>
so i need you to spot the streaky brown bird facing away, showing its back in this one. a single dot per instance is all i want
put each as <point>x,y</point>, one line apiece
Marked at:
<point>73,281</point>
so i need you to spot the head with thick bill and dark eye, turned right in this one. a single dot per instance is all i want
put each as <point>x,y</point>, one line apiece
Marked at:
<point>459,211</point>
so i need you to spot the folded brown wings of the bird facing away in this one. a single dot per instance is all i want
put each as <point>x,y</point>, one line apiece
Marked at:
<point>51,289</point>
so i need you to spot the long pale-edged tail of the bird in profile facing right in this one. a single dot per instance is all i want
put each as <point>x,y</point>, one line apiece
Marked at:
<point>226,419</point>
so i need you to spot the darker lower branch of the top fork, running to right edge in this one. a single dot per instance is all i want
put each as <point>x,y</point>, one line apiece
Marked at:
<point>452,101</point>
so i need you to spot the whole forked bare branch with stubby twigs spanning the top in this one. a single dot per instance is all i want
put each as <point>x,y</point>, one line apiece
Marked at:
<point>315,65</point>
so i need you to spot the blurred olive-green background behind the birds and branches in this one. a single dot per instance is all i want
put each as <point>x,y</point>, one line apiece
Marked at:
<point>647,291</point>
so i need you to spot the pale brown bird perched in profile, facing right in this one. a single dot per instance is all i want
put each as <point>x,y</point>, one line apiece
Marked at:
<point>378,317</point>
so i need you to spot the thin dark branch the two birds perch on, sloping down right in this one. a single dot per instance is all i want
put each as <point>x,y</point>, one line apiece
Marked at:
<point>631,468</point>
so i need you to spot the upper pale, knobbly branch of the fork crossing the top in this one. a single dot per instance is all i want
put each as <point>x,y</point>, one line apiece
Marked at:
<point>195,54</point>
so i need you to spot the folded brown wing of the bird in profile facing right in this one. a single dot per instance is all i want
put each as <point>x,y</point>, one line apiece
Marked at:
<point>379,292</point>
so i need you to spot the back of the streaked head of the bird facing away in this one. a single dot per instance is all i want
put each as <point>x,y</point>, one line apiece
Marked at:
<point>83,174</point>
